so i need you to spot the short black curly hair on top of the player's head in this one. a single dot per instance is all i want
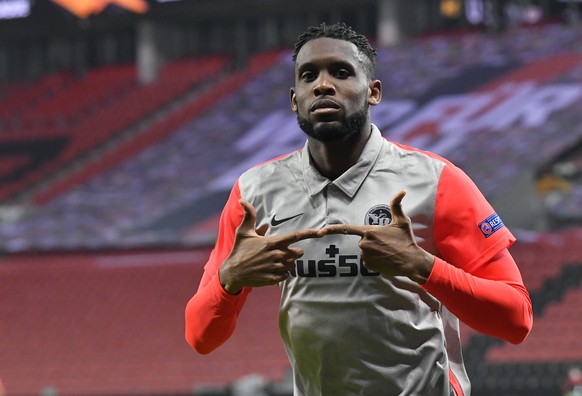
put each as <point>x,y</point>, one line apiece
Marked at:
<point>339,31</point>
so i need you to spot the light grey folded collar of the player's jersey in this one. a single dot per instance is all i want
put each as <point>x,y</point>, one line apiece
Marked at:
<point>351,180</point>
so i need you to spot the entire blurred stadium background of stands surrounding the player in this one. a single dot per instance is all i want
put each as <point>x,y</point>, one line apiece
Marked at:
<point>123,125</point>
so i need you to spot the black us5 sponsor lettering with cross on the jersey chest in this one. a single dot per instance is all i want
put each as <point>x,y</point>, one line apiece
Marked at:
<point>337,265</point>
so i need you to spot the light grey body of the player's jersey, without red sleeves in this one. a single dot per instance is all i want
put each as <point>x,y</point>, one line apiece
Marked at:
<point>347,330</point>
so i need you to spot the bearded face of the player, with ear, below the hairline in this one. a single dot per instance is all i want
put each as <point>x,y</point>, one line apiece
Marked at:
<point>332,92</point>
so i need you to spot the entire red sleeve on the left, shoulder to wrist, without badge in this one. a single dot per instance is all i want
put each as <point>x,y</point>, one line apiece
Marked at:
<point>211,314</point>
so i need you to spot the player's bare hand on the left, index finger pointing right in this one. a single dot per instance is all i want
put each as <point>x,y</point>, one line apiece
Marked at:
<point>256,260</point>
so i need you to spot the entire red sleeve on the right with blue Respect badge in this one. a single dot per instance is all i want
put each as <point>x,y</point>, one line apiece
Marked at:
<point>476,278</point>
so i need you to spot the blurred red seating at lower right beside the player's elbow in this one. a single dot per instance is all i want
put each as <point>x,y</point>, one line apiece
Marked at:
<point>539,365</point>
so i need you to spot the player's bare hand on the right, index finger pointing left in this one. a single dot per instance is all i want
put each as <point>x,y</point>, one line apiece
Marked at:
<point>391,249</point>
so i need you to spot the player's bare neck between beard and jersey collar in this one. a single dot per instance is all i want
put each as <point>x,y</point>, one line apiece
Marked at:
<point>332,159</point>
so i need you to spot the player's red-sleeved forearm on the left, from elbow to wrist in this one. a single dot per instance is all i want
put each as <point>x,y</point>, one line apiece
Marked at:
<point>211,316</point>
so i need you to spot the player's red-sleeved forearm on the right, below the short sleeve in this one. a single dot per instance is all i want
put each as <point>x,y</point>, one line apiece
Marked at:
<point>493,303</point>
